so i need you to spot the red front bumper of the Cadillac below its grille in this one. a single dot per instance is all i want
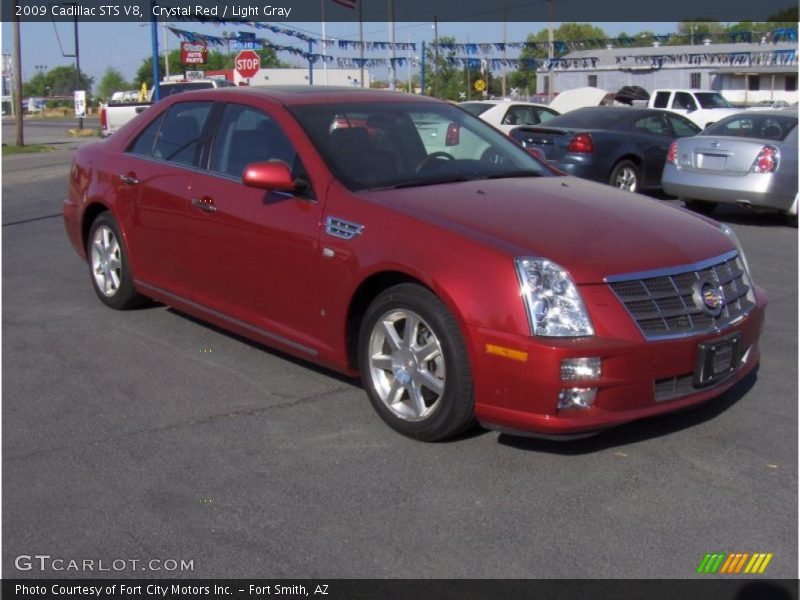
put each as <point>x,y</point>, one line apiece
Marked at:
<point>521,396</point>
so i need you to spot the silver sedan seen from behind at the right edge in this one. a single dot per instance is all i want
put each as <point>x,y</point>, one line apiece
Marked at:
<point>749,159</point>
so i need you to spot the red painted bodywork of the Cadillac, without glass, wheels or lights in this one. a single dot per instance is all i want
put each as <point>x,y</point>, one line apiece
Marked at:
<point>256,265</point>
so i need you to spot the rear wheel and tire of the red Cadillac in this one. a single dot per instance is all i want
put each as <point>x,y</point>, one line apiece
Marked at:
<point>109,266</point>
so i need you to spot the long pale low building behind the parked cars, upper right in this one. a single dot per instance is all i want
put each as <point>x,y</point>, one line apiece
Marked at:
<point>744,73</point>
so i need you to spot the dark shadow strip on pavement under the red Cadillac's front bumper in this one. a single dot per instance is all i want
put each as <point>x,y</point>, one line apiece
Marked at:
<point>638,431</point>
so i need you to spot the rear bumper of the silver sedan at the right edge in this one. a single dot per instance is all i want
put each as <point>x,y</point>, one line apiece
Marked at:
<point>753,189</point>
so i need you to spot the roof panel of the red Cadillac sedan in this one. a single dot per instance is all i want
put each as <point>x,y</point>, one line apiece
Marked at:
<point>307,94</point>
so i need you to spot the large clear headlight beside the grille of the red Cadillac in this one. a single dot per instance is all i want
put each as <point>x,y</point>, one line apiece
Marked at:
<point>552,301</point>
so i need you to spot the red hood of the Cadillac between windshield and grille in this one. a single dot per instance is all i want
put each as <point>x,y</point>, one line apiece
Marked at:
<point>593,230</point>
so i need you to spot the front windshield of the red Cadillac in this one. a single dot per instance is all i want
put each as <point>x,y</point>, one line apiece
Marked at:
<point>401,144</point>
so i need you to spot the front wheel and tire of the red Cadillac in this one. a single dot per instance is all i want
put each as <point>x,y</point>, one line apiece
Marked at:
<point>427,397</point>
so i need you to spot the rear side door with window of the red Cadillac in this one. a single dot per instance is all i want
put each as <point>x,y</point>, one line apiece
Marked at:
<point>154,184</point>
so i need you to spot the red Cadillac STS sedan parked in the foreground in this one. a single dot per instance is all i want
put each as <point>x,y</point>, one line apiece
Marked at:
<point>402,239</point>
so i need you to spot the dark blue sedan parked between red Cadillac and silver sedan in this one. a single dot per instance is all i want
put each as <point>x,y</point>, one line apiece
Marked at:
<point>624,147</point>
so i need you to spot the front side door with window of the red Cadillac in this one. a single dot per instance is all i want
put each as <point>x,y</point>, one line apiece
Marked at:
<point>256,252</point>
